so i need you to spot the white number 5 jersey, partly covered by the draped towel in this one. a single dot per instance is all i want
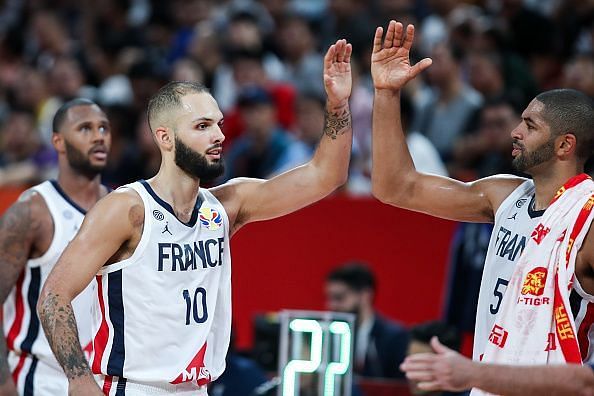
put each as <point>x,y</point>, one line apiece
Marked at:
<point>514,222</point>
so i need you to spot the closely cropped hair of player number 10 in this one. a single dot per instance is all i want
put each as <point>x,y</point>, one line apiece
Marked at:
<point>169,98</point>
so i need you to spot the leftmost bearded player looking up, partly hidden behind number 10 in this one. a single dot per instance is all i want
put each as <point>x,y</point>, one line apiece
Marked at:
<point>33,233</point>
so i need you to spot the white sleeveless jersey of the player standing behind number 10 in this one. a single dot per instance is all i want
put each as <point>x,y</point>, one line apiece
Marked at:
<point>24,336</point>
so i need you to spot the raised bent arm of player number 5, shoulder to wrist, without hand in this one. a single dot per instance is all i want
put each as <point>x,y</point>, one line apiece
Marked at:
<point>395,180</point>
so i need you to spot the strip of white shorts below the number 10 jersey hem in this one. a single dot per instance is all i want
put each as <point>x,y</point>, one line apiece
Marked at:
<point>115,386</point>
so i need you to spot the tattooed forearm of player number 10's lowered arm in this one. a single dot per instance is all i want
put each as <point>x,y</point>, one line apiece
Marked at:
<point>59,324</point>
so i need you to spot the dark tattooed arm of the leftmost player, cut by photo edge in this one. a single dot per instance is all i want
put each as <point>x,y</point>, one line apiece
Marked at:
<point>21,237</point>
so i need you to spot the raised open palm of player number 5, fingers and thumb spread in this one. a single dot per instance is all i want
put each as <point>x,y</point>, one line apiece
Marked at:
<point>390,62</point>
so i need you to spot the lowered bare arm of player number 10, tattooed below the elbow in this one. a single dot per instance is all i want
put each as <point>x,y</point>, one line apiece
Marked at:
<point>107,227</point>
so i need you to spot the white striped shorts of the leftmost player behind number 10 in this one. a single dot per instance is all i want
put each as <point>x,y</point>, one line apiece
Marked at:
<point>35,377</point>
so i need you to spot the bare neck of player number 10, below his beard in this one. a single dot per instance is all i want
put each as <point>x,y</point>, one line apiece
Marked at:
<point>177,188</point>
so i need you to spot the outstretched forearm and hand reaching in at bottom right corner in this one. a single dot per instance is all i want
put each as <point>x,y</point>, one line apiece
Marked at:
<point>447,370</point>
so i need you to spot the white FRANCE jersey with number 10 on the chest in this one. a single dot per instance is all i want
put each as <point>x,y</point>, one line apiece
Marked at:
<point>163,316</point>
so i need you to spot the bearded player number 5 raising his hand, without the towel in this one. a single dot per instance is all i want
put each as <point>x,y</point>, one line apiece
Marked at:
<point>551,144</point>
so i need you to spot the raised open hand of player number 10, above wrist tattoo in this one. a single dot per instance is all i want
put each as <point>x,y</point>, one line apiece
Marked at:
<point>337,73</point>
